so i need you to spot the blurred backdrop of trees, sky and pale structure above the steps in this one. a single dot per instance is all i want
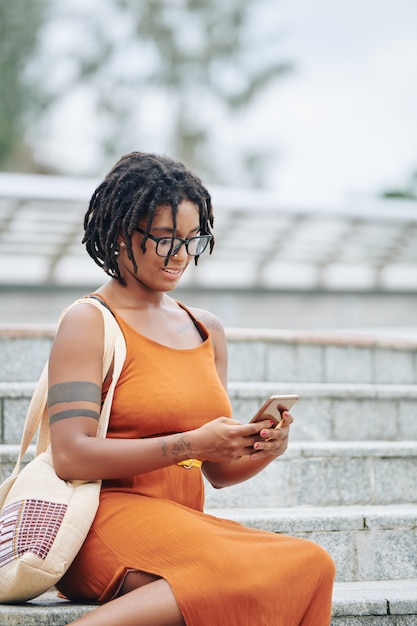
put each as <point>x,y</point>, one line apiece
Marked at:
<point>300,117</point>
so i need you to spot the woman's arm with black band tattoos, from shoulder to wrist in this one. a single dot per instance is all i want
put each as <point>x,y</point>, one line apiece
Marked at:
<point>74,400</point>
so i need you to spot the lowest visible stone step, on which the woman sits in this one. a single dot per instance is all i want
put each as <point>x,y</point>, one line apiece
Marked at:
<point>371,603</point>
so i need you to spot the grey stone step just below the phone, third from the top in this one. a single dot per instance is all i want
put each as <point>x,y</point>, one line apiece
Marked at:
<point>316,474</point>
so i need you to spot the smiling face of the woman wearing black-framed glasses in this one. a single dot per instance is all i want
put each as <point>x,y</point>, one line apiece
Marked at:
<point>153,272</point>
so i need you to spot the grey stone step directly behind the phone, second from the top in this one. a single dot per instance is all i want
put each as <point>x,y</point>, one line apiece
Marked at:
<point>324,412</point>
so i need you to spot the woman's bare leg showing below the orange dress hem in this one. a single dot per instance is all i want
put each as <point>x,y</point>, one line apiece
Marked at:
<point>141,604</point>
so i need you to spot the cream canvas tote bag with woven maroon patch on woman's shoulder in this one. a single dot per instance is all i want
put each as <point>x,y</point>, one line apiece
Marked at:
<point>44,520</point>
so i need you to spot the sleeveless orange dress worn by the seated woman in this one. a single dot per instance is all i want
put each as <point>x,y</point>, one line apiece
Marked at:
<point>220,571</point>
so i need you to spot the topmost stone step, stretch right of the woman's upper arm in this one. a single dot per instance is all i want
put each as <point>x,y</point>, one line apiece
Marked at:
<point>339,357</point>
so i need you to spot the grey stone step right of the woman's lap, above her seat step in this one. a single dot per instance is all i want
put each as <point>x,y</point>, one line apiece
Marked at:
<point>365,542</point>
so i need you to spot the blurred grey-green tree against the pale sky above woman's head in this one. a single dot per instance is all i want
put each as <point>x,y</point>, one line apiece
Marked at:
<point>203,59</point>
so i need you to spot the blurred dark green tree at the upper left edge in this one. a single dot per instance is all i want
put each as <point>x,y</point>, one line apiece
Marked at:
<point>21,95</point>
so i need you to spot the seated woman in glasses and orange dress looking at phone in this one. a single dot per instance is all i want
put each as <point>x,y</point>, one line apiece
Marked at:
<point>152,557</point>
